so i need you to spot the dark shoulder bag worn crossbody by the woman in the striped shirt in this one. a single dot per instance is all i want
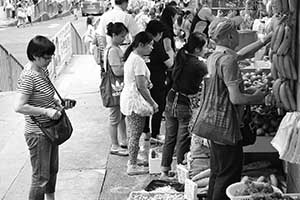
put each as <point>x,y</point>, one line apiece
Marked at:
<point>57,131</point>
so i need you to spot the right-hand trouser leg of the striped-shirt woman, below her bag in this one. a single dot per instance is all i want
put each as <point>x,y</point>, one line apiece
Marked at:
<point>54,160</point>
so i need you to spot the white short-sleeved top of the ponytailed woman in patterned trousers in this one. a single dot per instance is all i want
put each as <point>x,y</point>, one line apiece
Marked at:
<point>134,66</point>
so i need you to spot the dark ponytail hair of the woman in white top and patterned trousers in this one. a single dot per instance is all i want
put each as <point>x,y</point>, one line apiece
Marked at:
<point>143,38</point>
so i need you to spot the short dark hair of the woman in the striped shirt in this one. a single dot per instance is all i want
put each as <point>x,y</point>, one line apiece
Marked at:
<point>39,46</point>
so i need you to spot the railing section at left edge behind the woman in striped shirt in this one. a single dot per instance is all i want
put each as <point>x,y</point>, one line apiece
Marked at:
<point>10,69</point>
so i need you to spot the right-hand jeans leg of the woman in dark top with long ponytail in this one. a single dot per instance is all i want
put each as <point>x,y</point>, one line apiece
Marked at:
<point>184,113</point>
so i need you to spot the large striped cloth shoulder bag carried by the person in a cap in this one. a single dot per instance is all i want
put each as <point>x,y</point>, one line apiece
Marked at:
<point>217,117</point>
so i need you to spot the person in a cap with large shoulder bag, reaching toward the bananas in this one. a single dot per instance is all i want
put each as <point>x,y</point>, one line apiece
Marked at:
<point>226,160</point>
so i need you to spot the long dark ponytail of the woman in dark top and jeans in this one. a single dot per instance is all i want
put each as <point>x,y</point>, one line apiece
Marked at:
<point>195,40</point>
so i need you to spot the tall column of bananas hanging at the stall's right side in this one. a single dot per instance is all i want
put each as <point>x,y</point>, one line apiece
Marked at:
<point>283,69</point>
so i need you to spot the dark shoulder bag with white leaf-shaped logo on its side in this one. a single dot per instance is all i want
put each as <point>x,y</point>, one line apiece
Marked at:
<point>111,86</point>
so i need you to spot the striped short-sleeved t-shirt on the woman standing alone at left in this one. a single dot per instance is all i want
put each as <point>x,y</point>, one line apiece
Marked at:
<point>41,94</point>
